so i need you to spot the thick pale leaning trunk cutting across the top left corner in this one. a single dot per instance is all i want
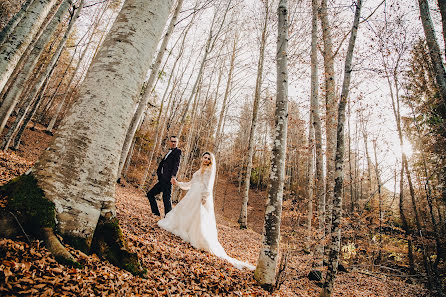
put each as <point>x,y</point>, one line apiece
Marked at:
<point>22,35</point>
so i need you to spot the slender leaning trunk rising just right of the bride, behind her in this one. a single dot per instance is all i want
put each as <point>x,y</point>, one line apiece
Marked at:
<point>243,219</point>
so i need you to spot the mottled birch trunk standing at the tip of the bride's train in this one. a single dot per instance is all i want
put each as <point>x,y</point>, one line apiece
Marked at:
<point>265,272</point>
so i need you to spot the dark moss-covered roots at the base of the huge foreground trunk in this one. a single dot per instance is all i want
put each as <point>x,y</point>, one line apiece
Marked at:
<point>35,214</point>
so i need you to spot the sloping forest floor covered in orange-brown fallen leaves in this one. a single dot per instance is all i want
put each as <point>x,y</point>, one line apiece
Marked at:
<point>174,267</point>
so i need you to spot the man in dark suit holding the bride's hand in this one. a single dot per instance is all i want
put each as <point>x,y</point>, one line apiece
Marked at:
<point>167,171</point>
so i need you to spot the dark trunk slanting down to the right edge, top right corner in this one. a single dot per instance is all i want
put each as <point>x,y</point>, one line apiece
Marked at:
<point>434,49</point>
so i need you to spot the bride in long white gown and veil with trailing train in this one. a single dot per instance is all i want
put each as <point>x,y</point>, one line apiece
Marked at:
<point>193,218</point>
